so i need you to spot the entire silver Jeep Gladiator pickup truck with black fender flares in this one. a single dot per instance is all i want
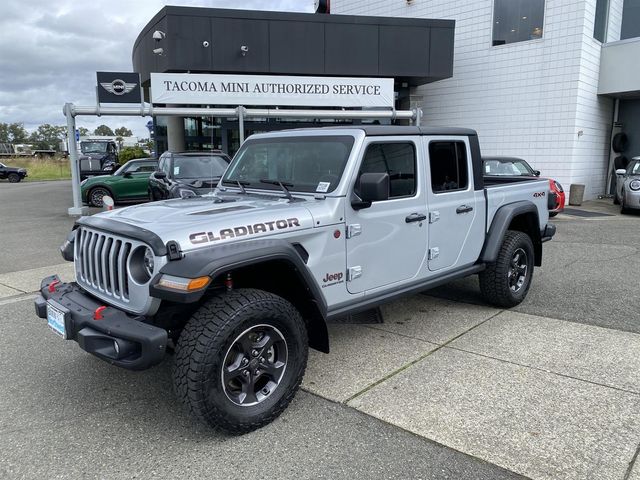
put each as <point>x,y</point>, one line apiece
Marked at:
<point>305,227</point>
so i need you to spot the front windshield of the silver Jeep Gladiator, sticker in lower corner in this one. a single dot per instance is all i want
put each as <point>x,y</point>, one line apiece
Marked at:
<point>305,164</point>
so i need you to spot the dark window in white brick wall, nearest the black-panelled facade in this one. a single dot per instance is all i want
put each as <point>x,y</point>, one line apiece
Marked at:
<point>517,20</point>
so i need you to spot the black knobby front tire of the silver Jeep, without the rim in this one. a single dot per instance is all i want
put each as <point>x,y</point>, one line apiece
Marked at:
<point>208,336</point>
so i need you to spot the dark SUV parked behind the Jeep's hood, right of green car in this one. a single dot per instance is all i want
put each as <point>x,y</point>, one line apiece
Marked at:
<point>187,174</point>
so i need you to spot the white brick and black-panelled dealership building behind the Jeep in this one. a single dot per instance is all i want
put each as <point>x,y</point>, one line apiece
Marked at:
<point>550,81</point>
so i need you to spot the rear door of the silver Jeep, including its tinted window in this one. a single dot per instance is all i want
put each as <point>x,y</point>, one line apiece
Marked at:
<point>456,210</point>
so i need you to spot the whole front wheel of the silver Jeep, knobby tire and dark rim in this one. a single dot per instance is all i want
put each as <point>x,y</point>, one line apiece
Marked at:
<point>240,360</point>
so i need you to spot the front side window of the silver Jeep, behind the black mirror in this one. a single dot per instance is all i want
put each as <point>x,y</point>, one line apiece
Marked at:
<point>396,159</point>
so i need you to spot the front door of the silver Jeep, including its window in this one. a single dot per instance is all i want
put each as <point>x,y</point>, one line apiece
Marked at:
<point>387,242</point>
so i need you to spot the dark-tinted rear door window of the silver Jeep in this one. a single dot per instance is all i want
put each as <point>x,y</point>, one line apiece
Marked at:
<point>448,163</point>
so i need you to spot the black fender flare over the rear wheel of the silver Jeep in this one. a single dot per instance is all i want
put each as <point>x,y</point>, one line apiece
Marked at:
<point>500,224</point>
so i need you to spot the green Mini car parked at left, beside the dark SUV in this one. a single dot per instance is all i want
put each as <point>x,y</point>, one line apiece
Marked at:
<point>129,183</point>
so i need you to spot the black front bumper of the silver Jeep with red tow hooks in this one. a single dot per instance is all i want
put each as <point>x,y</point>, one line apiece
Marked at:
<point>117,337</point>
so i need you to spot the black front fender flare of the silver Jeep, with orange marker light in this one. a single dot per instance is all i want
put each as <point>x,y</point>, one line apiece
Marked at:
<point>217,260</point>
